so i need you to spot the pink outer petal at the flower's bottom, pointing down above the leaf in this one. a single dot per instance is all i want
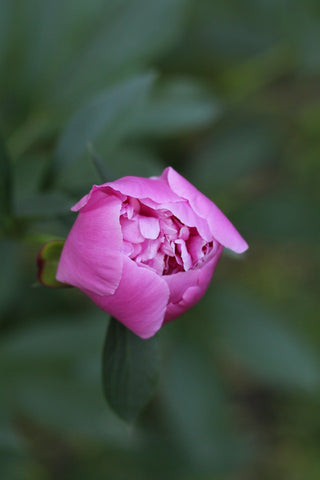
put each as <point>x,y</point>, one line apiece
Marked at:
<point>139,302</point>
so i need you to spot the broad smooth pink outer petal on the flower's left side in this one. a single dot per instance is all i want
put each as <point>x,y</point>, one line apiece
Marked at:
<point>91,258</point>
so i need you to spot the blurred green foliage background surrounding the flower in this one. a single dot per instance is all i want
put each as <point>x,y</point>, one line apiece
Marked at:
<point>226,92</point>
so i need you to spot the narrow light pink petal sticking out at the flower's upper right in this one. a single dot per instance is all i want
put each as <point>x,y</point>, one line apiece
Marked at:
<point>222,229</point>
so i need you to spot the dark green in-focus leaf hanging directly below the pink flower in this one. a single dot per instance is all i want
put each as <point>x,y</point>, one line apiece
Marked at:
<point>130,370</point>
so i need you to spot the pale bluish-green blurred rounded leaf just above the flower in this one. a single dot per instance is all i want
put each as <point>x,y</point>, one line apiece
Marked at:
<point>177,107</point>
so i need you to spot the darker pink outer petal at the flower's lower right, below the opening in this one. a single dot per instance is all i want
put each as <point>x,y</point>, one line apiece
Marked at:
<point>187,288</point>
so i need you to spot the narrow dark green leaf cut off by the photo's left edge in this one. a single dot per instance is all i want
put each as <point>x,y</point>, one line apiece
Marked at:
<point>5,183</point>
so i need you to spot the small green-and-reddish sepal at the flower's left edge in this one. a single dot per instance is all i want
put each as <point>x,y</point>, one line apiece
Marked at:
<point>48,259</point>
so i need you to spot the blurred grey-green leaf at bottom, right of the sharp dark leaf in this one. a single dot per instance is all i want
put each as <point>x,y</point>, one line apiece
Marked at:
<point>198,413</point>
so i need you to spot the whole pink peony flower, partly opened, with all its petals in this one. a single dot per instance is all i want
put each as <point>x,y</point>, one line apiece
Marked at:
<point>145,249</point>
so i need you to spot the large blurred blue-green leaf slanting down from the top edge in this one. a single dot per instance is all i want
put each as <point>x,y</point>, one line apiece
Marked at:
<point>127,36</point>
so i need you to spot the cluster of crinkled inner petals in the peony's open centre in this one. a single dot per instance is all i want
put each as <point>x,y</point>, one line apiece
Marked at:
<point>158,240</point>
